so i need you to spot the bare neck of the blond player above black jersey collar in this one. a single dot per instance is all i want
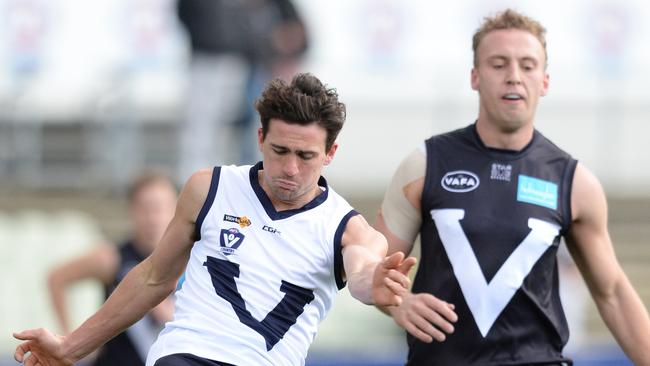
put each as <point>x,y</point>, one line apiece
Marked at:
<point>499,138</point>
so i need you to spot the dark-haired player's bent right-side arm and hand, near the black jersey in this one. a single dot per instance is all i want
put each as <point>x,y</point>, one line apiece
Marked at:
<point>372,277</point>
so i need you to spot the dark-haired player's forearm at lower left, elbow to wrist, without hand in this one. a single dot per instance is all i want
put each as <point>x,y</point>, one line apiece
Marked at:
<point>132,299</point>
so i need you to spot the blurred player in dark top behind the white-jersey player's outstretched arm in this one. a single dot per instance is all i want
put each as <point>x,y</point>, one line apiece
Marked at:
<point>152,200</point>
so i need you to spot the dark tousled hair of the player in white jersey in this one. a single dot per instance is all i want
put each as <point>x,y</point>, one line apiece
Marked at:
<point>304,101</point>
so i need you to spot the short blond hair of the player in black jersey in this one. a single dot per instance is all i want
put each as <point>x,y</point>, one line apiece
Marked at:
<point>509,19</point>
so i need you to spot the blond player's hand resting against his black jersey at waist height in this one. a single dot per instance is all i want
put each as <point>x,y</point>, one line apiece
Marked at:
<point>425,316</point>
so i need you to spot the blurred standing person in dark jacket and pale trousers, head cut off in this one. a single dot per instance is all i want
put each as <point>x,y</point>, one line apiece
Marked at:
<point>236,48</point>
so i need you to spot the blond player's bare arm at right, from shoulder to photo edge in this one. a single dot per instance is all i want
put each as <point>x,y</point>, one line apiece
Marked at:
<point>591,247</point>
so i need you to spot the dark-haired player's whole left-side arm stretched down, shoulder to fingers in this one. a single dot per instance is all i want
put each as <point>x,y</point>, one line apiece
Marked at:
<point>144,287</point>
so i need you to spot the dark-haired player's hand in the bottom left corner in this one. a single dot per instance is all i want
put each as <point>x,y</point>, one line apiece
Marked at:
<point>45,347</point>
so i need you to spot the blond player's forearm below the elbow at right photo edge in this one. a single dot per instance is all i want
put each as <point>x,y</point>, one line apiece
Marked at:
<point>627,319</point>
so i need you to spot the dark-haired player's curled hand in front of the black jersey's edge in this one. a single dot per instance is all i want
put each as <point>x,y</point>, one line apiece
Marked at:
<point>390,279</point>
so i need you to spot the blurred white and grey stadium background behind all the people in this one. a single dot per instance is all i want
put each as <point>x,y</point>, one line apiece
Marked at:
<point>92,92</point>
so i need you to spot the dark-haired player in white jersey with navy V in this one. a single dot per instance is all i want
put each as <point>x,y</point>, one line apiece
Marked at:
<point>269,241</point>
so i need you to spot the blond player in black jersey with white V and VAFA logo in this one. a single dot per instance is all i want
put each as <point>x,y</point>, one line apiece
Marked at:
<point>491,202</point>
